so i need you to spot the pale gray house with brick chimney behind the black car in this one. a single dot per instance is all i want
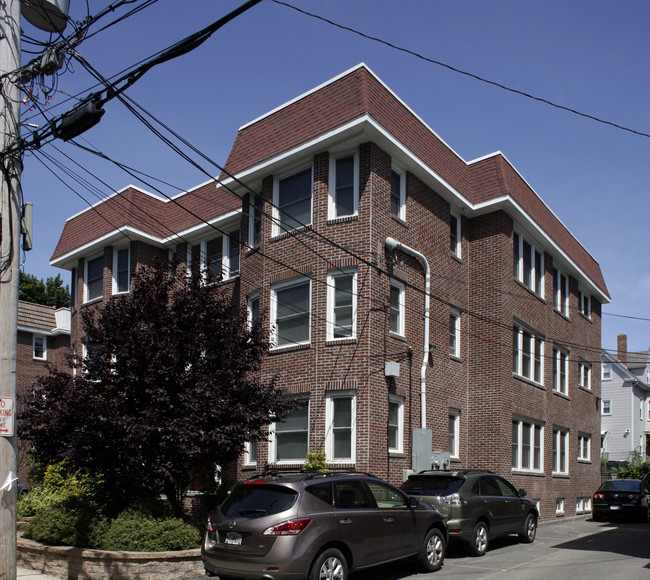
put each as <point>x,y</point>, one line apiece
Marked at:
<point>625,403</point>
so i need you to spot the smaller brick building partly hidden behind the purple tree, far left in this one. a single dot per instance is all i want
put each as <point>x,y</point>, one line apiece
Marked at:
<point>43,338</point>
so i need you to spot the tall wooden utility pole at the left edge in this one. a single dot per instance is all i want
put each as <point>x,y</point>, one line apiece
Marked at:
<point>10,212</point>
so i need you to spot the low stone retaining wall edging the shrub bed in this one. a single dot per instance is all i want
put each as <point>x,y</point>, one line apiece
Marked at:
<point>82,564</point>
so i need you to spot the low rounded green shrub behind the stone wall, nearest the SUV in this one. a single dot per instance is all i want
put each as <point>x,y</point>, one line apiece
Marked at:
<point>136,532</point>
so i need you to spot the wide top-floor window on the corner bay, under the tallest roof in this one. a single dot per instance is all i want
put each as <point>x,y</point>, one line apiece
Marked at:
<point>292,201</point>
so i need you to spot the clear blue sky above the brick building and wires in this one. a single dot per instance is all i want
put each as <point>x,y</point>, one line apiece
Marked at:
<point>587,55</point>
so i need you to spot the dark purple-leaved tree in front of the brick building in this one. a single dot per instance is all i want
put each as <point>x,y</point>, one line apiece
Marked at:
<point>169,384</point>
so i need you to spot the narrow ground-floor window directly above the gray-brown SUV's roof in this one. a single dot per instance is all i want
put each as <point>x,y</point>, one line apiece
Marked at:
<point>340,418</point>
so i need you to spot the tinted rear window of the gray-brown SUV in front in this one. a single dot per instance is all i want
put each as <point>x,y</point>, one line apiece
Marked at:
<point>258,500</point>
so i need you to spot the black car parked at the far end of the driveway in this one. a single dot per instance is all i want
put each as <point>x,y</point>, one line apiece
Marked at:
<point>617,498</point>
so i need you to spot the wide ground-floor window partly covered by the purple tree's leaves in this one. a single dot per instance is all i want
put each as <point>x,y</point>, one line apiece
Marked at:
<point>289,439</point>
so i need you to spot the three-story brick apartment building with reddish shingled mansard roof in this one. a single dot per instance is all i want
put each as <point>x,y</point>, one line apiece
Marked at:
<point>416,302</point>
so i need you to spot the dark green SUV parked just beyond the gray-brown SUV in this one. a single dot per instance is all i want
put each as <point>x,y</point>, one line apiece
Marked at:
<point>478,505</point>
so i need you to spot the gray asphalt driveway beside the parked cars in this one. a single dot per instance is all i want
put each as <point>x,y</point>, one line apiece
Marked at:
<point>575,549</point>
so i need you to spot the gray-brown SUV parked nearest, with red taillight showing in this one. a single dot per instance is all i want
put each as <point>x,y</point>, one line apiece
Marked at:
<point>319,526</point>
